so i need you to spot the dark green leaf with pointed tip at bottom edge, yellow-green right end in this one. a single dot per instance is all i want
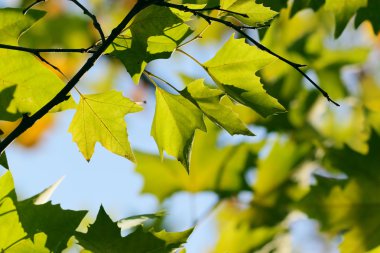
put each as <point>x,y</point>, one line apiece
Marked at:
<point>104,236</point>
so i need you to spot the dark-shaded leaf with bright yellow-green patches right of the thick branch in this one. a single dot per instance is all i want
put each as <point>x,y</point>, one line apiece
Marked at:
<point>154,34</point>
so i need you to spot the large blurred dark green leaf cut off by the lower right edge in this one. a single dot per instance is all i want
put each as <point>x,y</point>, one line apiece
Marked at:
<point>349,205</point>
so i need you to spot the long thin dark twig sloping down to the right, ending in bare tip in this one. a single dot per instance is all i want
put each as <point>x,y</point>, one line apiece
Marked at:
<point>237,28</point>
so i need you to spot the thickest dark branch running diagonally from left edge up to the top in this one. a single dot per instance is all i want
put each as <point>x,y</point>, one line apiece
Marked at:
<point>62,95</point>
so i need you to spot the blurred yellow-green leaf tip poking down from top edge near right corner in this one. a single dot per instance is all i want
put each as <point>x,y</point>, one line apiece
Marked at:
<point>343,11</point>
